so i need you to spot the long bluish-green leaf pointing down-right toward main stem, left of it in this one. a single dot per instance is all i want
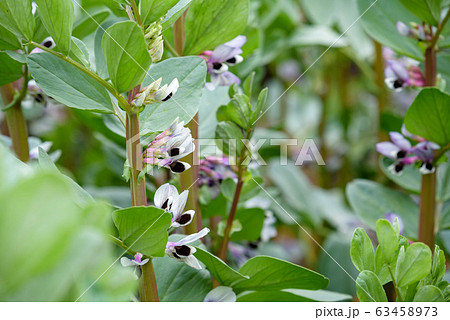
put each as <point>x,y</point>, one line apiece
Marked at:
<point>67,84</point>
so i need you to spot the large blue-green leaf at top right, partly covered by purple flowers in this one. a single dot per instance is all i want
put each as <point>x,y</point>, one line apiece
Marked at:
<point>380,23</point>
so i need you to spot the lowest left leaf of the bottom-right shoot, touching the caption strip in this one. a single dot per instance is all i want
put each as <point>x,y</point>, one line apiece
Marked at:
<point>369,288</point>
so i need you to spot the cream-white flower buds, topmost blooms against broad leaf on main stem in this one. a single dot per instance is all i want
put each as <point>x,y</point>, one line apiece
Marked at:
<point>155,93</point>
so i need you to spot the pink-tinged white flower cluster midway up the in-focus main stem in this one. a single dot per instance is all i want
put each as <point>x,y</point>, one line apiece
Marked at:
<point>169,146</point>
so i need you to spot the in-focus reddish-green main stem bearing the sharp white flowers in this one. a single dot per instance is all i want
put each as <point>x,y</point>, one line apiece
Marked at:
<point>147,288</point>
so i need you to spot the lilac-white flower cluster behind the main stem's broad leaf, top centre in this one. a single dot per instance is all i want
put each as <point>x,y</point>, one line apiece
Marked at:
<point>218,61</point>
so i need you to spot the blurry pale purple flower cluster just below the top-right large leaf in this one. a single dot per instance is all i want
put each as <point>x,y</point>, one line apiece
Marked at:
<point>402,72</point>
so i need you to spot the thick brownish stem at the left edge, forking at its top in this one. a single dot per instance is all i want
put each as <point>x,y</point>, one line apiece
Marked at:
<point>16,122</point>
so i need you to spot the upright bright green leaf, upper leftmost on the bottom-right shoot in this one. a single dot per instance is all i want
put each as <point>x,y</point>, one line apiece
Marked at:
<point>361,251</point>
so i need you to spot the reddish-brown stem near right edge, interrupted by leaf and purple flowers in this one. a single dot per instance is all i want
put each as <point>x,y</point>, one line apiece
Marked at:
<point>427,210</point>
